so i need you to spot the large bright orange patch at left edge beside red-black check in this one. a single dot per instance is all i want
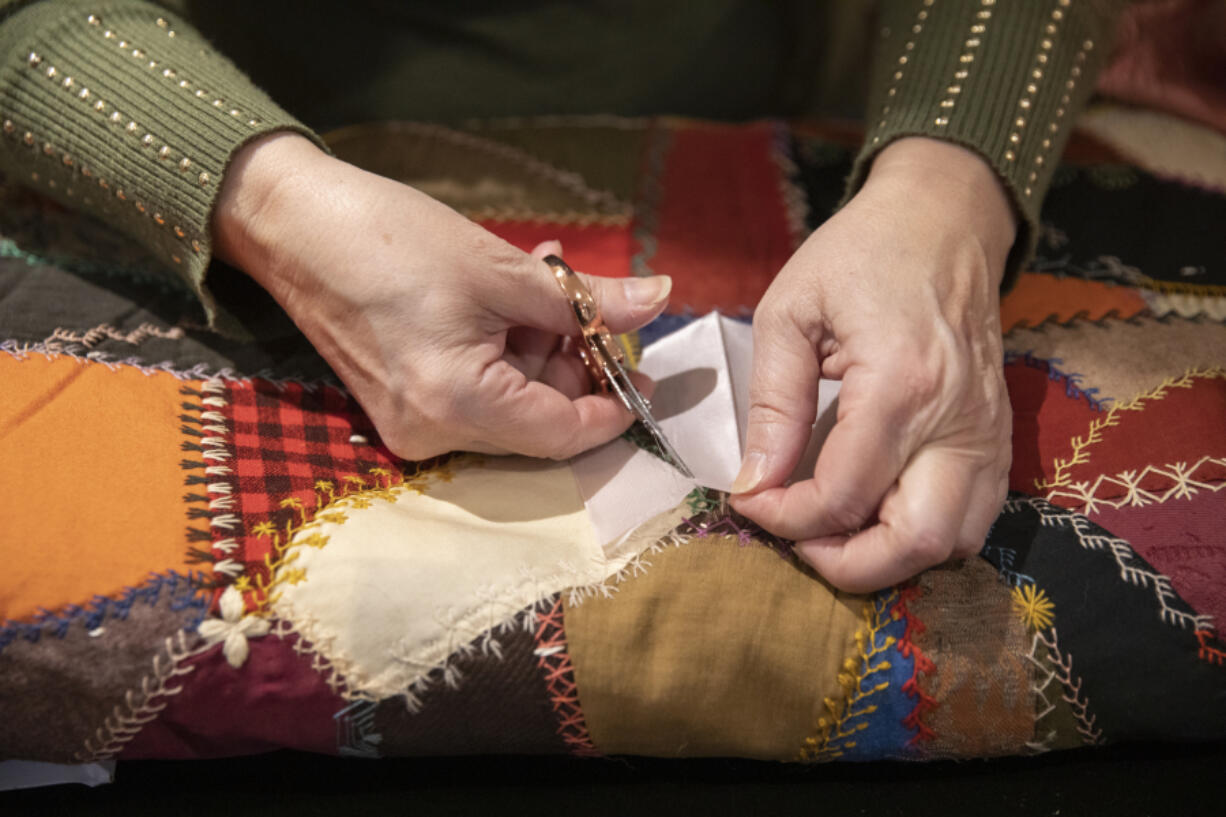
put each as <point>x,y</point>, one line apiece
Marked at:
<point>91,491</point>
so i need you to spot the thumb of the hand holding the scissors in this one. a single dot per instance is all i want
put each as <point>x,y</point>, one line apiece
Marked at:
<point>531,297</point>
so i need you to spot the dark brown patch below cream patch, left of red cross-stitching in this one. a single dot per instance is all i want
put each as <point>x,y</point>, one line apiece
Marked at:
<point>498,706</point>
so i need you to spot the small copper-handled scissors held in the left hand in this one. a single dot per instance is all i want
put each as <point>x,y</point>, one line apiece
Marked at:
<point>604,358</point>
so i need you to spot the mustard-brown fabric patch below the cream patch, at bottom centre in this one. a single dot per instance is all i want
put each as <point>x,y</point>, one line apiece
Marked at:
<point>718,650</point>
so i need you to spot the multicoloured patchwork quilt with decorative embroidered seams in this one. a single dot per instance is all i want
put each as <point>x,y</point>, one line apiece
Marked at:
<point>207,551</point>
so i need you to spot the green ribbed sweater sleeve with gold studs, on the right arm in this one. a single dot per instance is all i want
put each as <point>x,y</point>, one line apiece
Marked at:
<point>1002,79</point>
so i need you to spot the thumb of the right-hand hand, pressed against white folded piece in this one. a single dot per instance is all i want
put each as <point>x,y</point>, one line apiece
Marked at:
<point>783,404</point>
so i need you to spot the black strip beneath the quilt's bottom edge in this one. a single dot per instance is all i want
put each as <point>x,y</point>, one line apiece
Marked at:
<point>1146,780</point>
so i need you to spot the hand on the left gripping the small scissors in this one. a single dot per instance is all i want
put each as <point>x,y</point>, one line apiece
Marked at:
<point>447,336</point>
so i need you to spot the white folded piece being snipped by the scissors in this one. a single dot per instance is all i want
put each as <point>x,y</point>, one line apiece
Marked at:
<point>702,403</point>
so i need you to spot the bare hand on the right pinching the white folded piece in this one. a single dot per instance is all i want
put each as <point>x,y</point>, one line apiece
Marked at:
<point>898,297</point>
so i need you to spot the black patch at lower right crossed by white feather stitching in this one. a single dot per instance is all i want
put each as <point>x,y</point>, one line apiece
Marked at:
<point>1136,650</point>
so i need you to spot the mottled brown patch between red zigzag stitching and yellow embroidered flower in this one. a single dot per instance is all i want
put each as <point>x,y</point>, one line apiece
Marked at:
<point>983,681</point>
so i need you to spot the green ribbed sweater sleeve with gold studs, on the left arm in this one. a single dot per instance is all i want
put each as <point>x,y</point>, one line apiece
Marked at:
<point>122,110</point>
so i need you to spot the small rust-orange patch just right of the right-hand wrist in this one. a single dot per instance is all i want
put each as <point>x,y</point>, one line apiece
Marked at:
<point>1038,297</point>
